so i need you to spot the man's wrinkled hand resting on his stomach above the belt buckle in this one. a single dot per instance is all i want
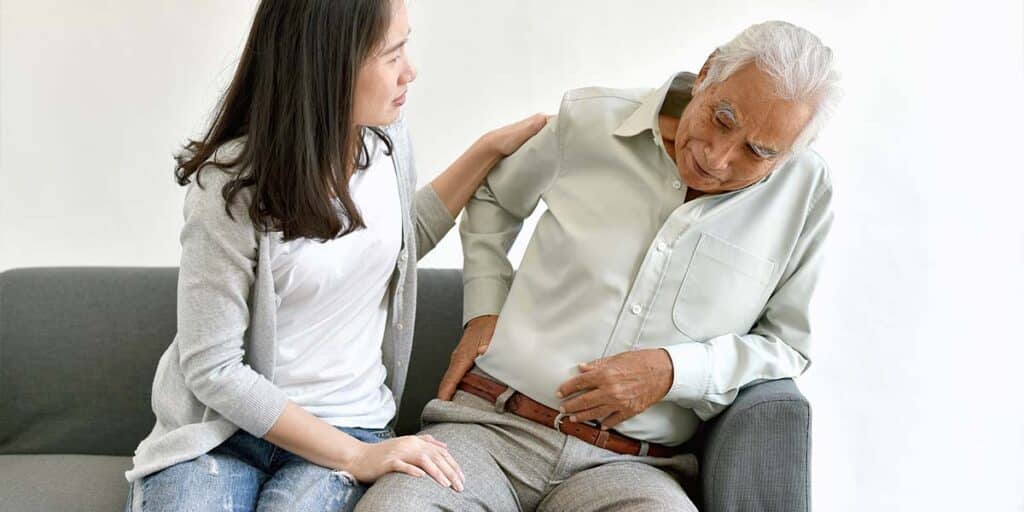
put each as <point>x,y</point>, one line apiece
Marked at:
<point>614,390</point>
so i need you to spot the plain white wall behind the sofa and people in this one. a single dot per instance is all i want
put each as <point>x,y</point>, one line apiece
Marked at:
<point>917,403</point>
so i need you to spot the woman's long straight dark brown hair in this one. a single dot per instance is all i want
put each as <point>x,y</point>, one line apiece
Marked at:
<point>292,99</point>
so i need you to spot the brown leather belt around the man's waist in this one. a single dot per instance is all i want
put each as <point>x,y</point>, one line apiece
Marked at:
<point>525,407</point>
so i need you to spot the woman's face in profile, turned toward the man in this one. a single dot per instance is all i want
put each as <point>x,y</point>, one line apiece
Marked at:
<point>381,86</point>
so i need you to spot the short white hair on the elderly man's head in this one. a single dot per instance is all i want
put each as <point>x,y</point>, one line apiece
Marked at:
<point>799,63</point>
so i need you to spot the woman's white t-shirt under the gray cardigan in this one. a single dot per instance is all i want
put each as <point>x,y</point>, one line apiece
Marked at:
<point>334,305</point>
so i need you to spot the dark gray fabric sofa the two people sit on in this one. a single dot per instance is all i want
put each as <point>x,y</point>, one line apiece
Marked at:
<point>79,348</point>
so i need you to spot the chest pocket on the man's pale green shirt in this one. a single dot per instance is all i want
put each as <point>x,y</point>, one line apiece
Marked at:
<point>723,291</point>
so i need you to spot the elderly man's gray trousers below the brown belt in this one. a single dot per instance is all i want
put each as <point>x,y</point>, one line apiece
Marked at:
<point>515,464</point>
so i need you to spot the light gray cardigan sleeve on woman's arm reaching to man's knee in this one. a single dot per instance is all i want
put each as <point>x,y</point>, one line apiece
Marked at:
<point>217,275</point>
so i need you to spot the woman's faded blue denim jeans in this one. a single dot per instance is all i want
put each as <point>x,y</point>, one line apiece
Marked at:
<point>246,474</point>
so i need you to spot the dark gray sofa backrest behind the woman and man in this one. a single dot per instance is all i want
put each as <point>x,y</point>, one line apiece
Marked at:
<point>79,348</point>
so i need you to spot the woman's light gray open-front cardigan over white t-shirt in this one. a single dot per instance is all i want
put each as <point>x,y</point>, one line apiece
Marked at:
<point>218,374</point>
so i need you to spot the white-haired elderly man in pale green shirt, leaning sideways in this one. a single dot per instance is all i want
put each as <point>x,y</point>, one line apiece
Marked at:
<point>674,267</point>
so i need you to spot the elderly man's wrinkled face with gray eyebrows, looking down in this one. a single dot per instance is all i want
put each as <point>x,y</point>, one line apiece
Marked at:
<point>735,133</point>
